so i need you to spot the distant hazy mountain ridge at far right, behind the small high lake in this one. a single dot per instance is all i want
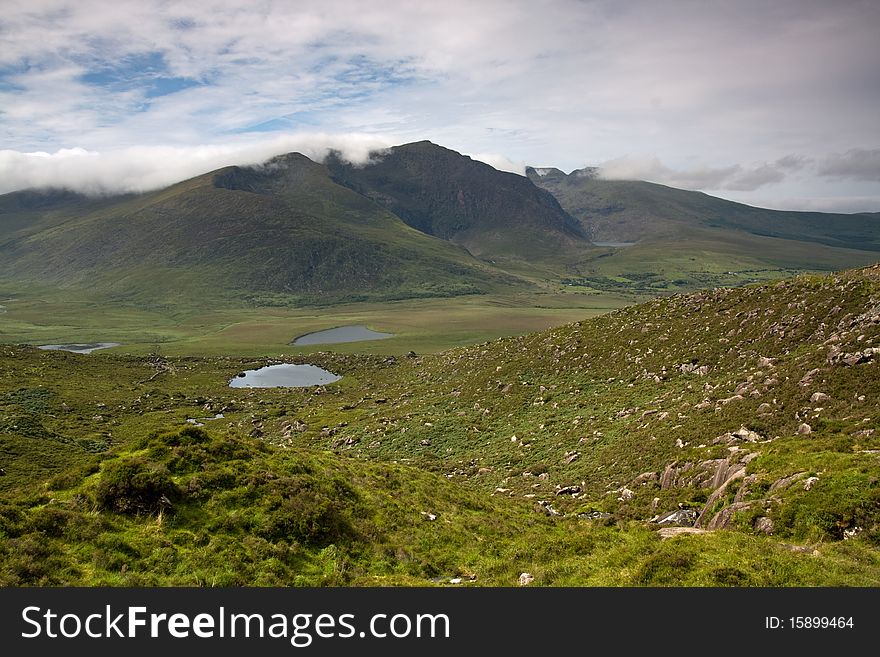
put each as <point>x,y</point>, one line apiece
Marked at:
<point>628,211</point>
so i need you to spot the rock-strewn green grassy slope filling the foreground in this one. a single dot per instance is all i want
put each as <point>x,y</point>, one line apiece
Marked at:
<point>610,389</point>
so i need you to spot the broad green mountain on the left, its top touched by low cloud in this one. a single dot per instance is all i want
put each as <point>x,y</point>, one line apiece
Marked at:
<point>272,233</point>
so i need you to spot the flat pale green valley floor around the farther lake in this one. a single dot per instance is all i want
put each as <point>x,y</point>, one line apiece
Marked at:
<point>46,316</point>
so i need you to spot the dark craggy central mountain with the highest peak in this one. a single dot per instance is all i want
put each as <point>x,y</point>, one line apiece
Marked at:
<point>440,192</point>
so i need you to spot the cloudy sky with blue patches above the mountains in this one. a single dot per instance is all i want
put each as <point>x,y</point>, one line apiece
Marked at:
<point>770,103</point>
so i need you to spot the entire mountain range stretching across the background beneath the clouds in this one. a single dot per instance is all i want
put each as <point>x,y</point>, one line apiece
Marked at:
<point>418,220</point>
